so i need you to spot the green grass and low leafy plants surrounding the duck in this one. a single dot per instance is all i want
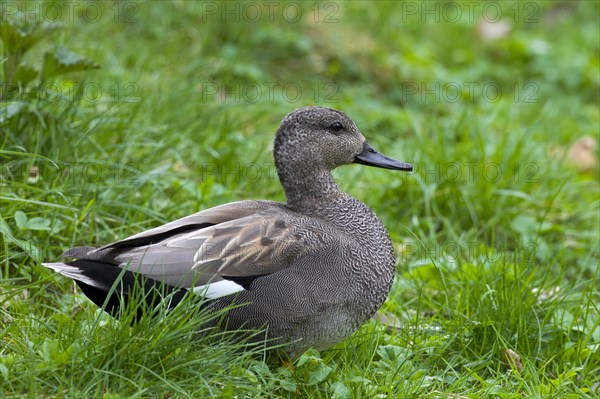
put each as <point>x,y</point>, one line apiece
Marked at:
<point>496,231</point>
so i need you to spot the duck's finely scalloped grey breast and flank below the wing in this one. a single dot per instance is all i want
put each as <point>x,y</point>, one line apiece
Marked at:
<point>329,292</point>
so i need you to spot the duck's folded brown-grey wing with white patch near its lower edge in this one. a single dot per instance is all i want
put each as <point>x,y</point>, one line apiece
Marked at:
<point>219,251</point>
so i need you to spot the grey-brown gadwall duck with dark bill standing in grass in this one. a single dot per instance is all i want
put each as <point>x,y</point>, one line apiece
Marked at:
<point>311,270</point>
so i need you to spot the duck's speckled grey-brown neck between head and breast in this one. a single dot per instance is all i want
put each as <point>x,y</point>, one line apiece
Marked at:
<point>309,190</point>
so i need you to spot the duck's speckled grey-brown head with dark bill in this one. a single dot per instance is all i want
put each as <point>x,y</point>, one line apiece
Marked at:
<point>321,139</point>
